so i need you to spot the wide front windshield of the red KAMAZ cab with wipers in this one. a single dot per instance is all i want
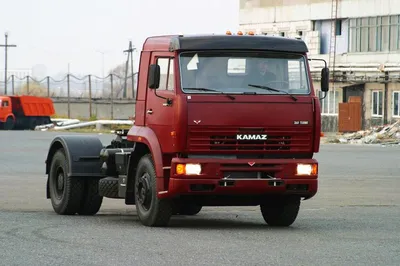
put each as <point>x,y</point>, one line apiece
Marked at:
<point>232,72</point>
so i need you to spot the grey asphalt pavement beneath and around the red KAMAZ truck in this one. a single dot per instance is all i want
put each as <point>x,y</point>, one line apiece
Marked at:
<point>353,220</point>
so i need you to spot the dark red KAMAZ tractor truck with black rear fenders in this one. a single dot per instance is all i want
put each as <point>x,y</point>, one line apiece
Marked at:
<point>220,120</point>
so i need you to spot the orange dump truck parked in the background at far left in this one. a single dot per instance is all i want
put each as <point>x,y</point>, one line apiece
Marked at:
<point>25,112</point>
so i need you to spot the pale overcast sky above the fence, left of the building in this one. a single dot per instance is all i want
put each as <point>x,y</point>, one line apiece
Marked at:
<point>57,32</point>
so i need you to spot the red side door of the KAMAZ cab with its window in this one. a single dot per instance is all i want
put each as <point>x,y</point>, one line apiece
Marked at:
<point>158,115</point>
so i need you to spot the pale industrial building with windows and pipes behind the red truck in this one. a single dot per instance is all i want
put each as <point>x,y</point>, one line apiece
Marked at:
<point>364,55</point>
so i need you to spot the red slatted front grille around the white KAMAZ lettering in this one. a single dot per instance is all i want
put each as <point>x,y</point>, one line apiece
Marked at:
<point>224,139</point>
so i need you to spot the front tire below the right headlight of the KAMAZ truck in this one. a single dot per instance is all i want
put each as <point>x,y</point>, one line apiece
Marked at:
<point>281,212</point>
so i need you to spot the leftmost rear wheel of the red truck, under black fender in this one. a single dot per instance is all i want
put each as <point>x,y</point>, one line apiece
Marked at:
<point>65,192</point>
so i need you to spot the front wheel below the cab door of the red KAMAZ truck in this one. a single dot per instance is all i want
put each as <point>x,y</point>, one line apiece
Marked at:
<point>152,211</point>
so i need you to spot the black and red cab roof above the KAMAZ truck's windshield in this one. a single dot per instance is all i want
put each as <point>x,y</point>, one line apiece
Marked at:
<point>224,42</point>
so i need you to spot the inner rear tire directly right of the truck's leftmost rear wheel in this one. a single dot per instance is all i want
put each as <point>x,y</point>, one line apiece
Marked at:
<point>91,201</point>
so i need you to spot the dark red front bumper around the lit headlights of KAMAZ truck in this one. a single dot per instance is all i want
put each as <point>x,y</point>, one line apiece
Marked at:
<point>242,177</point>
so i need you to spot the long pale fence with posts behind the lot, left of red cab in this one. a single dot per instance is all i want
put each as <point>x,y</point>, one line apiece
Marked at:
<point>71,86</point>
